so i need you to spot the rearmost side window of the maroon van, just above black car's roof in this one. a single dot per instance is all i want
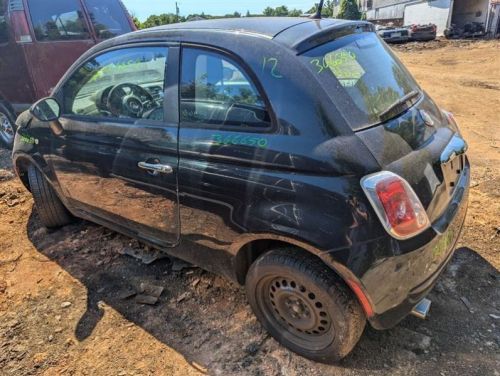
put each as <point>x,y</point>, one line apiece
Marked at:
<point>108,17</point>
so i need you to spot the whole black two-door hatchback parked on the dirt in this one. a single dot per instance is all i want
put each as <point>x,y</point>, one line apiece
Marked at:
<point>295,156</point>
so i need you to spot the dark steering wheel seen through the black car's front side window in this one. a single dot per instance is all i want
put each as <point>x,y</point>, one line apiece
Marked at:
<point>129,100</point>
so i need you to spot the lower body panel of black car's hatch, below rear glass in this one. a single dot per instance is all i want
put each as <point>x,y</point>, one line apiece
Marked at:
<point>421,147</point>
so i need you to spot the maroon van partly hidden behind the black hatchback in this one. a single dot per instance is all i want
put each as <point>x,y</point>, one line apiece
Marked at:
<point>40,39</point>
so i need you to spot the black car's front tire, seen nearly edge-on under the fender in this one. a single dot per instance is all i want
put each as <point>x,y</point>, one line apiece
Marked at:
<point>50,209</point>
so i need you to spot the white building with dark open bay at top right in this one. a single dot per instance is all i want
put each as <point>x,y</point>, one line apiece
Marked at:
<point>440,12</point>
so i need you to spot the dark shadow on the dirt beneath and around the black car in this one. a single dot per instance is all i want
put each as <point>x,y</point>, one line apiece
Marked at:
<point>207,320</point>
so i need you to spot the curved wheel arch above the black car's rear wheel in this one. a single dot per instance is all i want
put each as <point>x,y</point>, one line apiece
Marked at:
<point>247,250</point>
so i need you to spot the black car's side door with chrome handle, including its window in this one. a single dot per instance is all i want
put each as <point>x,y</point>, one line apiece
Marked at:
<point>114,151</point>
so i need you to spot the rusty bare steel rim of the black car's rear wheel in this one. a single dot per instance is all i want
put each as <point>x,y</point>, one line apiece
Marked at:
<point>298,311</point>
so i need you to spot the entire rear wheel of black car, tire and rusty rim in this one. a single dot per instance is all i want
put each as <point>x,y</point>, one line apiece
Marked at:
<point>304,305</point>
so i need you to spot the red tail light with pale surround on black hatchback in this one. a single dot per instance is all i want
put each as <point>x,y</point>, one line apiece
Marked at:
<point>396,204</point>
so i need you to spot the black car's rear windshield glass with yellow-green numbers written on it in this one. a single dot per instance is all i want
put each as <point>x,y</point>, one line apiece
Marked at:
<point>363,77</point>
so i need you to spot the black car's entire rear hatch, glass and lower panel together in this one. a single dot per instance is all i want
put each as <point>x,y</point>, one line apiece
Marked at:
<point>400,125</point>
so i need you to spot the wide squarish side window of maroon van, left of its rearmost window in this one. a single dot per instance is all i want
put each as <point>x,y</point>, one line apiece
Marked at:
<point>58,20</point>
